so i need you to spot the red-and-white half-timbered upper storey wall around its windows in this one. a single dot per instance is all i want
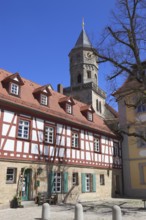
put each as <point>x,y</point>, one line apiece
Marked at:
<point>61,150</point>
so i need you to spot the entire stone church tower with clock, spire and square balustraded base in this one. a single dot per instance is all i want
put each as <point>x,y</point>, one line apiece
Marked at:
<point>84,75</point>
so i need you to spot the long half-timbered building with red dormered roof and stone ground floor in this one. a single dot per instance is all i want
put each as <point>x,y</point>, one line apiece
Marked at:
<point>53,143</point>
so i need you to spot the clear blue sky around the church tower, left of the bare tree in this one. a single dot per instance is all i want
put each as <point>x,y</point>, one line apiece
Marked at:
<point>36,36</point>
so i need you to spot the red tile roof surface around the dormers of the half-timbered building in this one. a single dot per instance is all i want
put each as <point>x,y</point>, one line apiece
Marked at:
<point>28,101</point>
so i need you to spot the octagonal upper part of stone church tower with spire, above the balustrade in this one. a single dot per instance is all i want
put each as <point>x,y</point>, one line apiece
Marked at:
<point>83,62</point>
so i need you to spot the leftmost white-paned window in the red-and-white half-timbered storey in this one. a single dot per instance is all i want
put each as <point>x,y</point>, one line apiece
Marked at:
<point>23,129</point>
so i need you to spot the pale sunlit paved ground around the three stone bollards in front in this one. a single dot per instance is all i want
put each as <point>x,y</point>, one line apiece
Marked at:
<point>99,210</point>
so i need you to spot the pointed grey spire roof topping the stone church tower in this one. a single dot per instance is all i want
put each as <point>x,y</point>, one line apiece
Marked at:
<point>83,40</point>
